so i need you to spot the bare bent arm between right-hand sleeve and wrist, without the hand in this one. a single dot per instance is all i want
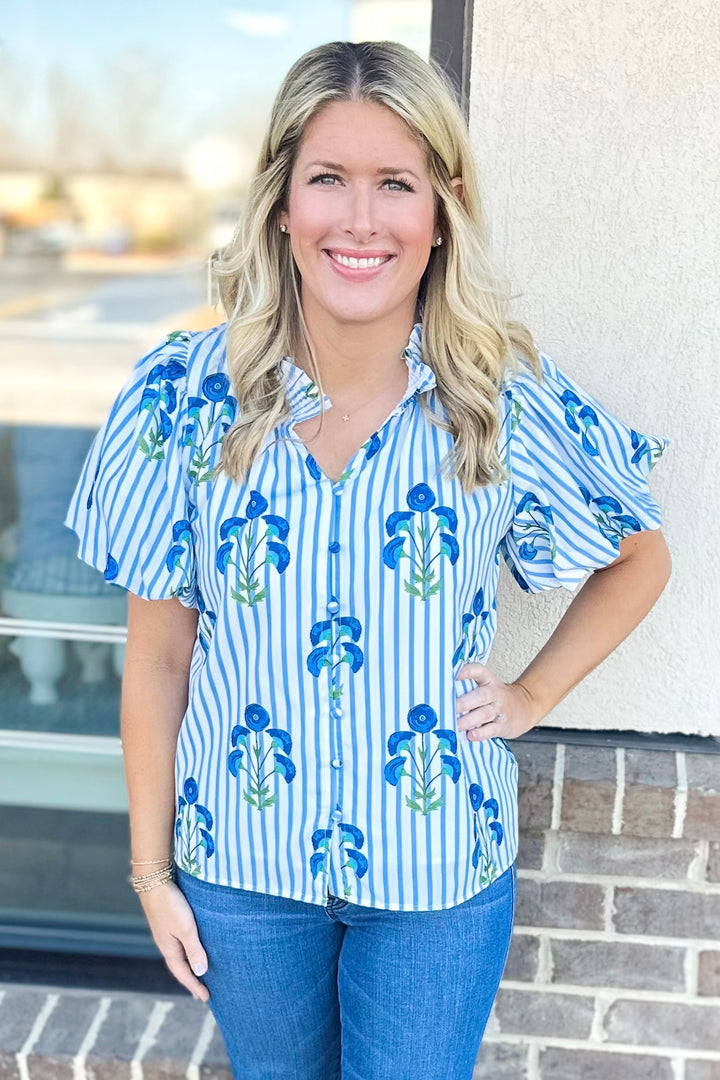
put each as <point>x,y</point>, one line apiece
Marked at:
<point>608,607</point>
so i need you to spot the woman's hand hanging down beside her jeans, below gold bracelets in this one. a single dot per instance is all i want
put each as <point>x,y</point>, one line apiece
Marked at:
<point>175,934</point>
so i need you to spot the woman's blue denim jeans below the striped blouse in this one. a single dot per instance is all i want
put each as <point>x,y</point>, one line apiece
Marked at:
<point>305,992</point>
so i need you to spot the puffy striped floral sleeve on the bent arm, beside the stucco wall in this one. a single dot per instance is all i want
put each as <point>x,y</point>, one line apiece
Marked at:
<point>579,481</point>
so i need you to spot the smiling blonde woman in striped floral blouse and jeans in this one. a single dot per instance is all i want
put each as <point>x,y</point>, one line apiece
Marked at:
<point>308,505</point>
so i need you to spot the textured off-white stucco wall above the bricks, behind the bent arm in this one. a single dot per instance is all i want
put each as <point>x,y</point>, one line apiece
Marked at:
<point>596,127</point>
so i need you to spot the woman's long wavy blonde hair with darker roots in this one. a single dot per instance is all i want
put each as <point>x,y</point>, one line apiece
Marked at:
<point>467,336</point>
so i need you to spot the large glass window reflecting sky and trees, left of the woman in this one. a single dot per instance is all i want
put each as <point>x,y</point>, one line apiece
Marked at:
<point>128,134</point>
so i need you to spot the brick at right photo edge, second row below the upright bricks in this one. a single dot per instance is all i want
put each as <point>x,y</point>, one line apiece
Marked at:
<point>669,913</point>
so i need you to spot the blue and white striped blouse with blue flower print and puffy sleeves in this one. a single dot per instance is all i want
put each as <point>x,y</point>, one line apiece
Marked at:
<point>319,753</point>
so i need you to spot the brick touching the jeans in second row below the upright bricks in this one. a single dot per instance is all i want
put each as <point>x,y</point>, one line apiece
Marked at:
<point>560,904</point>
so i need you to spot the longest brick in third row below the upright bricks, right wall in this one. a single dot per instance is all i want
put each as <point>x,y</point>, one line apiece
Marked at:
<point>619,965</point>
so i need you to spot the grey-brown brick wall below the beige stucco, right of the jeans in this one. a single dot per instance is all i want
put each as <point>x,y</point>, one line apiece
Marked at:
<point>615,968</point>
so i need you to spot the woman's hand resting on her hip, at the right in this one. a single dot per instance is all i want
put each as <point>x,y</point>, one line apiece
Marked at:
<point>494,709</point>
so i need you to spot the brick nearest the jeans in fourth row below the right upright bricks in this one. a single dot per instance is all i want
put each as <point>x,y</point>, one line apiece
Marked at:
<point>535,1012</point>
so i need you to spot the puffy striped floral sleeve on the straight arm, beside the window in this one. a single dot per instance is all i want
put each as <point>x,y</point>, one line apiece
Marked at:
<point>131,509</point>
